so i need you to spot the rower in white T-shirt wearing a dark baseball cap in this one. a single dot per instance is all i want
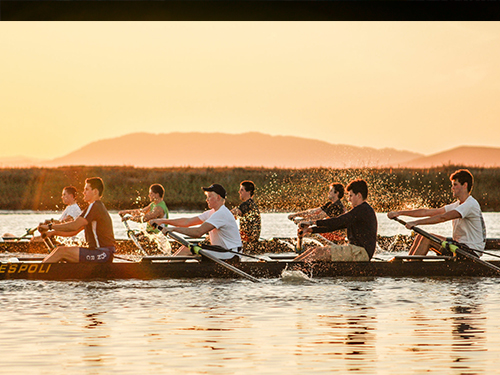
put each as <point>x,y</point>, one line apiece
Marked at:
<point>218,222</point>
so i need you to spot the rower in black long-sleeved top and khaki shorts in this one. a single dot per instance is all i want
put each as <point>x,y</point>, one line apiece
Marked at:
<point>361,225</point>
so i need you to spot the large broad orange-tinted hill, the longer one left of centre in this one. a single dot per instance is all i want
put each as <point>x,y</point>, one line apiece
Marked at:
<point>220,149</point>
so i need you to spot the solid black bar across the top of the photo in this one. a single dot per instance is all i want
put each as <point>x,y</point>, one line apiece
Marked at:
<point>249,10</point>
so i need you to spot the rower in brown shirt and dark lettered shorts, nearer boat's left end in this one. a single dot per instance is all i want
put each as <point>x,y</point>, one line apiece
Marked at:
<point>98,227</point>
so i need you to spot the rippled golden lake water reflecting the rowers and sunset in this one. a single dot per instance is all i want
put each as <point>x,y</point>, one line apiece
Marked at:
<point>344,325</point>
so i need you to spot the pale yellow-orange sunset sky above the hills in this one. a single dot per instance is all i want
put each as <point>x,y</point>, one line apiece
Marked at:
<point>417,86</point>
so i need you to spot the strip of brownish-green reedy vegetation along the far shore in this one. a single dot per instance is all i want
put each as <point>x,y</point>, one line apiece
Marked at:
<point>278,189</point>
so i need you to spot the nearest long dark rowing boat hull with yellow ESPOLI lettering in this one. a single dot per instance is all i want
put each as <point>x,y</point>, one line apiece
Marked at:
<point>158,267</point>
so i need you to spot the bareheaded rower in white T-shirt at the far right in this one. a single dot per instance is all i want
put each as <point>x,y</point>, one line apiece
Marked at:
<point>468,222</point>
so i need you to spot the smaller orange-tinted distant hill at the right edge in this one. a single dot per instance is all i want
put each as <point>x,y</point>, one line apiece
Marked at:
<point>470,156</point>
